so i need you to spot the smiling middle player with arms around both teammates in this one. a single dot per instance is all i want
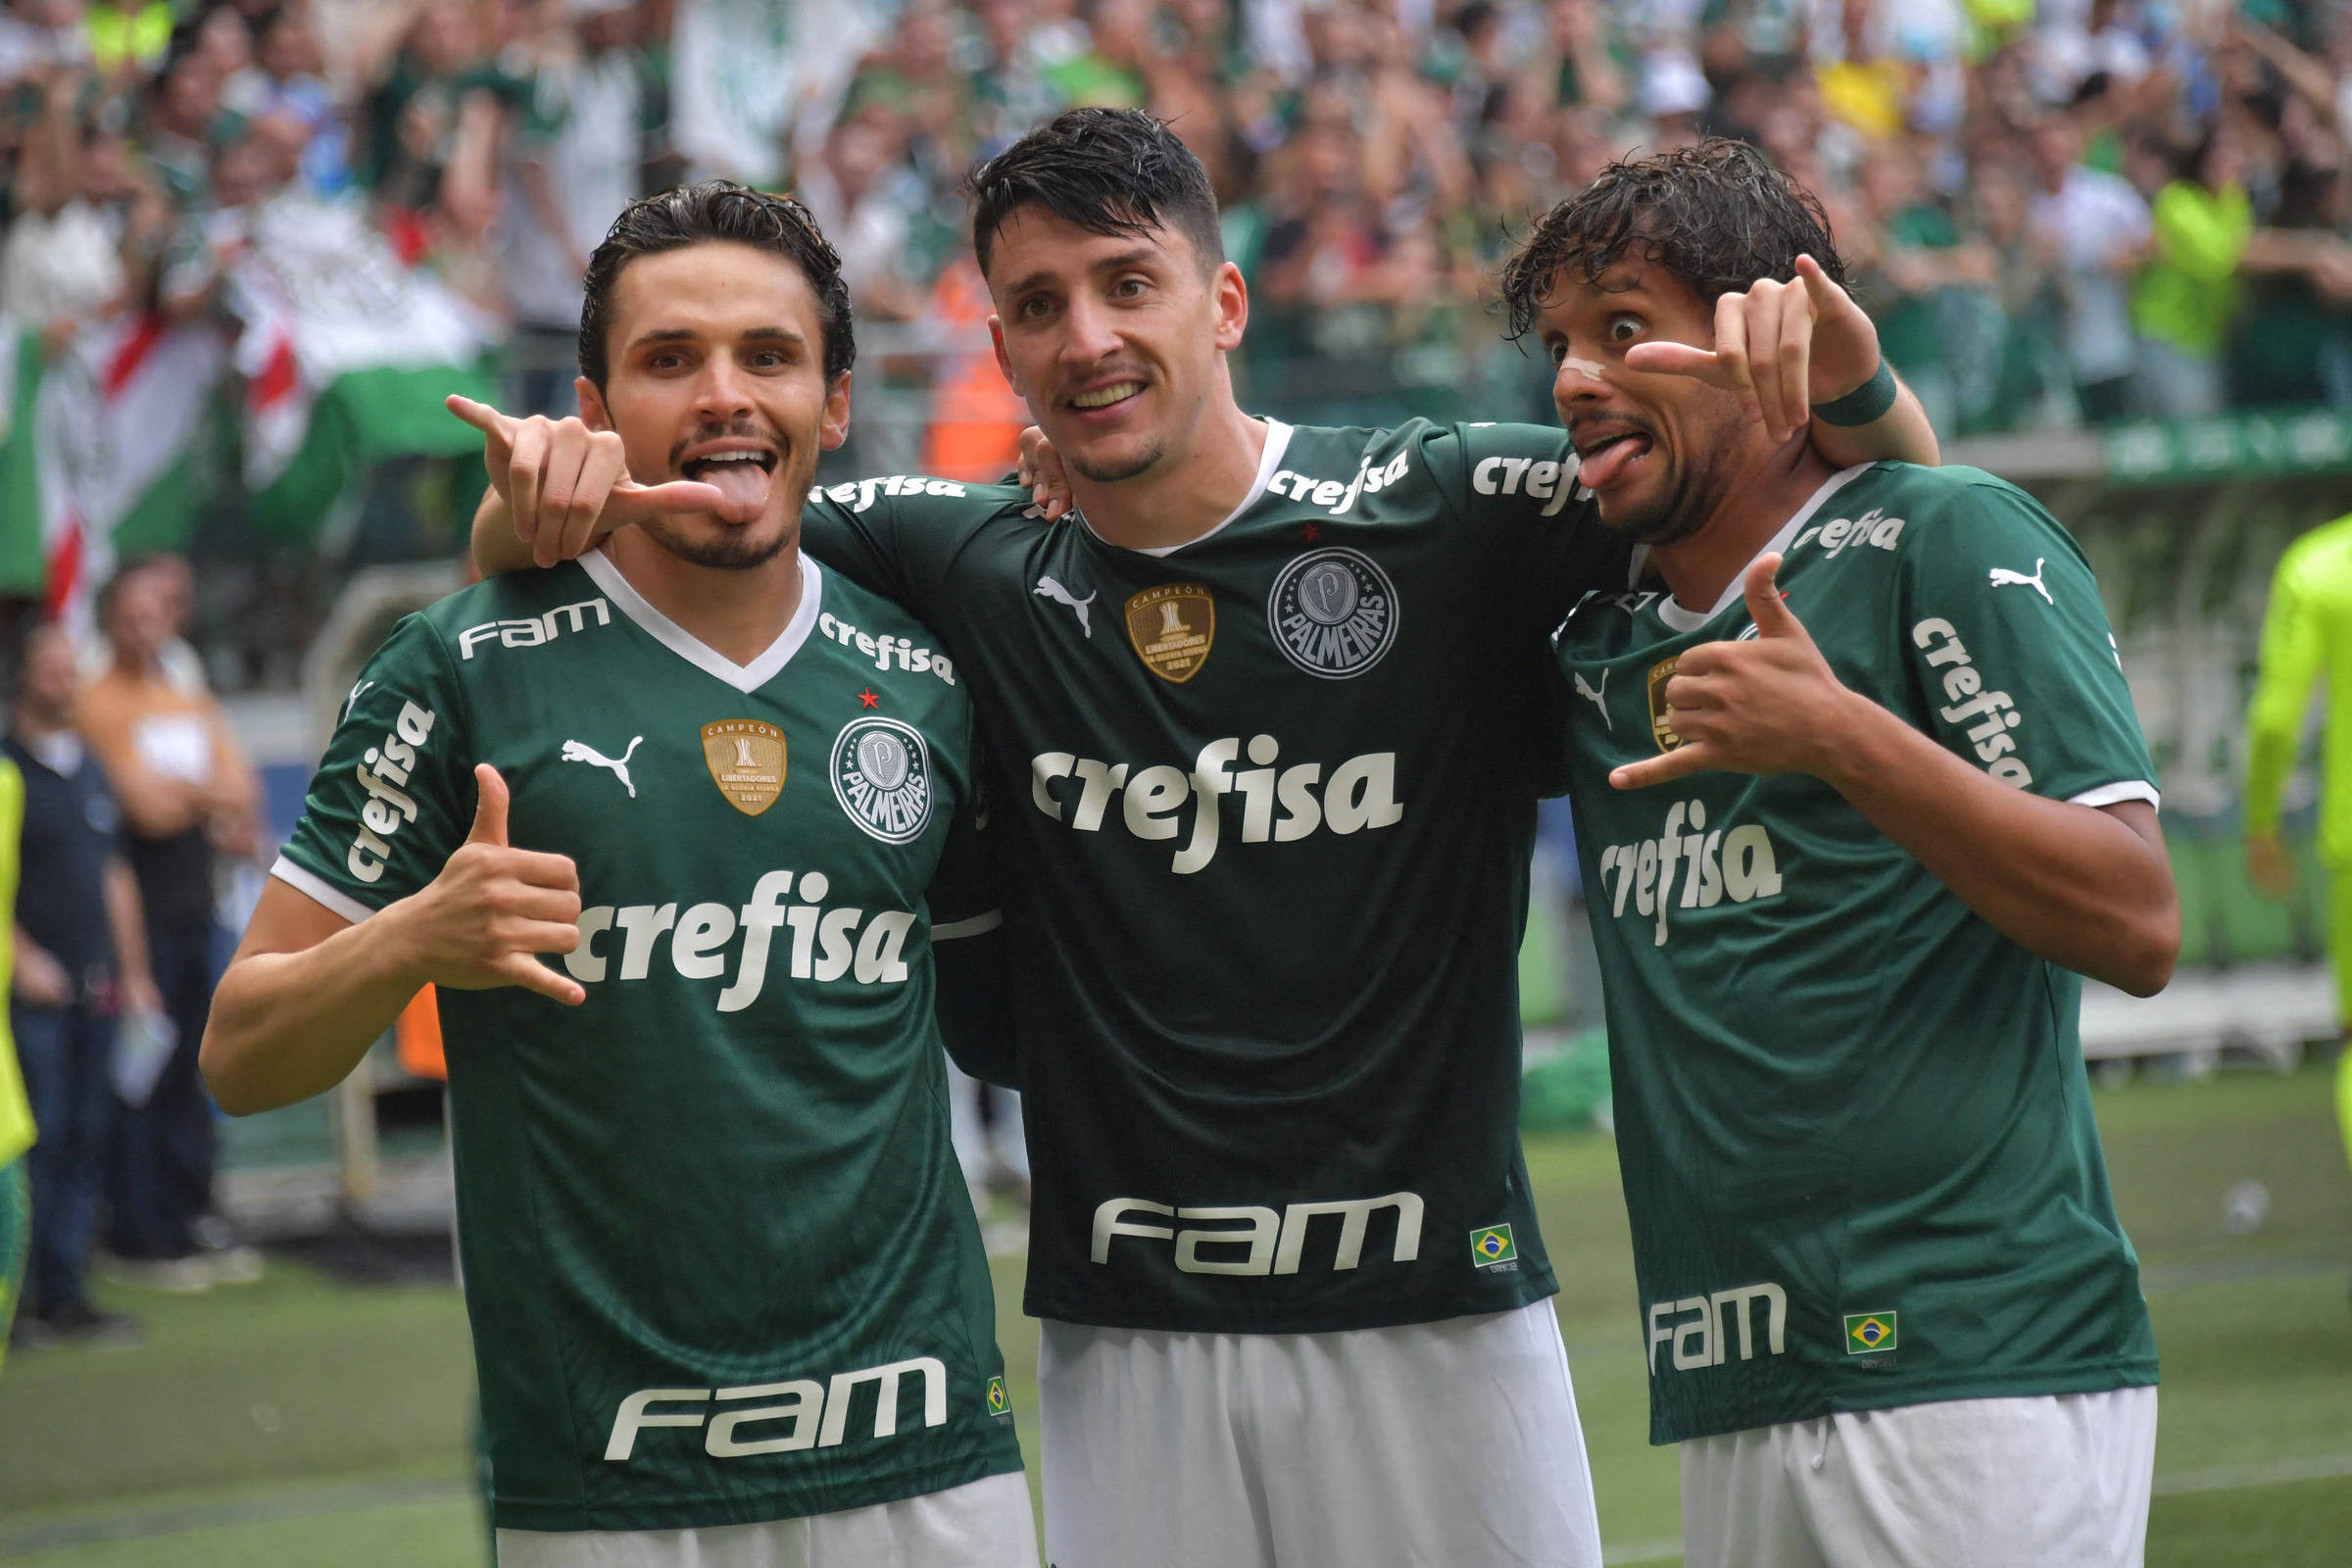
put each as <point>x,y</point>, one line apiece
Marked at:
<point>1269,718</point>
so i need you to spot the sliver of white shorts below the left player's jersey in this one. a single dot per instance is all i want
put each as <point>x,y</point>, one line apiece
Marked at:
<point>982,1525</point>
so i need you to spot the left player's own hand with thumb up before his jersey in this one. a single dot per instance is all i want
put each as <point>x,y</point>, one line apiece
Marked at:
<point>495,909</point>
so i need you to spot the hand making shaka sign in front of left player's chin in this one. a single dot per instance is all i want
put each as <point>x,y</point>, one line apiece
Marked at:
<point>568,485</point>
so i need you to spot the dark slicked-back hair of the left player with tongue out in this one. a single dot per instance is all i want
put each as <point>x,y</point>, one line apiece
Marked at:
<point>719,210</point>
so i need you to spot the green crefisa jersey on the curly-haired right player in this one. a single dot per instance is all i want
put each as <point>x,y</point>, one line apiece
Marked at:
<point>1855,1120</point>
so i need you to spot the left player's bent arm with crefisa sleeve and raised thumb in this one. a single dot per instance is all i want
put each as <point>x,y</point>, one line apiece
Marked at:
<point>382,892</point>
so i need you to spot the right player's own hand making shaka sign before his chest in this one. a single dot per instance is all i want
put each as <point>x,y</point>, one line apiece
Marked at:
<point>1763,706</point>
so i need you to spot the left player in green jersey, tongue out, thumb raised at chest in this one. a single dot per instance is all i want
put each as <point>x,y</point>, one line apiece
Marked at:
<point>726,1285</point>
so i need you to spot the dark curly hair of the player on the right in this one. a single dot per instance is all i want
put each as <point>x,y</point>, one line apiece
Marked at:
<point>1716,215</point>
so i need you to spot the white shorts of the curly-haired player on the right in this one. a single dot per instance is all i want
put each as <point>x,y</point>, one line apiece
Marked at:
<point>2047,1482</point>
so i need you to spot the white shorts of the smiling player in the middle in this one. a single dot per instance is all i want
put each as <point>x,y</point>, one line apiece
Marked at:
<point>1434,1445</point>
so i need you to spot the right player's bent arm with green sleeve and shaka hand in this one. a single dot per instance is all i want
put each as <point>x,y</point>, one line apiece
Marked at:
<point>2019,779</point>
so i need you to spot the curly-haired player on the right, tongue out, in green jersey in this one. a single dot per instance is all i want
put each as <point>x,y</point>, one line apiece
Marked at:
<point>1859,793</point>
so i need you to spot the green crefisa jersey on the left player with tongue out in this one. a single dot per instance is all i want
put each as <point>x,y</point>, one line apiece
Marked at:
<point>719,1257</point>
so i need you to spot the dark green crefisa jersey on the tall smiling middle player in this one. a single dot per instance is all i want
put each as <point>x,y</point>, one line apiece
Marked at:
<point>1269,798</point>
